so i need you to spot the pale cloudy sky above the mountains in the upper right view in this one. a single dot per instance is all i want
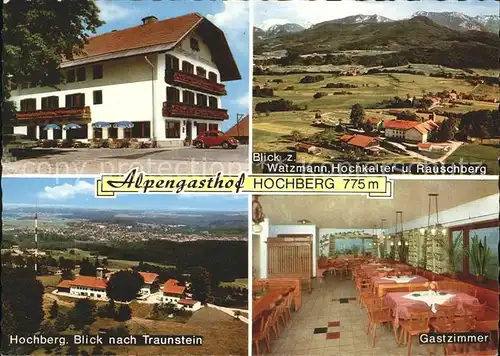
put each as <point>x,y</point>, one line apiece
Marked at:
<point>306,13</point>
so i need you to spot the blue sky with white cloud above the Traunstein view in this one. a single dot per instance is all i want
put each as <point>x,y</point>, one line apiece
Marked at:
<point>71,192</point>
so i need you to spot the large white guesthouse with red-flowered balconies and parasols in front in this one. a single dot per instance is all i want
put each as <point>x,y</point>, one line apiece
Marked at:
<point>160,81</point>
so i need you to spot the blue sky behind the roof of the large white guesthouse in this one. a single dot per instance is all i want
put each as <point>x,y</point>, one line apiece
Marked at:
<point>231,16</point>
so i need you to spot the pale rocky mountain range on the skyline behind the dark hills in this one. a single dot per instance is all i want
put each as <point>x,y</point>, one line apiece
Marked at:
<point>453,20</point>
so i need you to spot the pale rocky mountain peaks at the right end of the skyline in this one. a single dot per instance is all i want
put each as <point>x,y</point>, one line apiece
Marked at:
<point>461,22</point>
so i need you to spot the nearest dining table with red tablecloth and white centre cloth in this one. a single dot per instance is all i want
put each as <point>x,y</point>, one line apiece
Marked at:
<point>401,301</point>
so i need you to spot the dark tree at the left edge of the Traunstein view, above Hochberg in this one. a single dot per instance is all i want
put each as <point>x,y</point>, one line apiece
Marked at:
<point>22,311</point>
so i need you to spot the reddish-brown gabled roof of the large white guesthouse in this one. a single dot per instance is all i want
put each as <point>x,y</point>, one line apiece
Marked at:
<point>158,36</point>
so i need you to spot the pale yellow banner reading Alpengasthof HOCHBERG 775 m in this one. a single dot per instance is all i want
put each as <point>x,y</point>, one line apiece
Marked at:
<point>136,182</point>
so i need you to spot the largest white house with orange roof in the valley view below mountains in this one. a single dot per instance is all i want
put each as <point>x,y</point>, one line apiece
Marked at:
<point>409,131</point>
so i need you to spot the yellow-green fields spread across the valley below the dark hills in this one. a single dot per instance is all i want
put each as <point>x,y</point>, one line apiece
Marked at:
<point>271,131</point>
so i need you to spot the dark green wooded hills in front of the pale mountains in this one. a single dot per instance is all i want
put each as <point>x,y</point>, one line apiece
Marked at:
<point>415,40</point>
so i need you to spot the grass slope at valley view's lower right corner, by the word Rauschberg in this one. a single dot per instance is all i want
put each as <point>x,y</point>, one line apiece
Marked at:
<point>477,153</point>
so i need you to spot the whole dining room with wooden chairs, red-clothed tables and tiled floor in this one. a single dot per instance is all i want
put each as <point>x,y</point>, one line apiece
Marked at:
<point>349,275</point>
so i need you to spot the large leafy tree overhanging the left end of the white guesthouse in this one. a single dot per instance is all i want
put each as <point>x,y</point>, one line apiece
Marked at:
<point>37,34</point>
